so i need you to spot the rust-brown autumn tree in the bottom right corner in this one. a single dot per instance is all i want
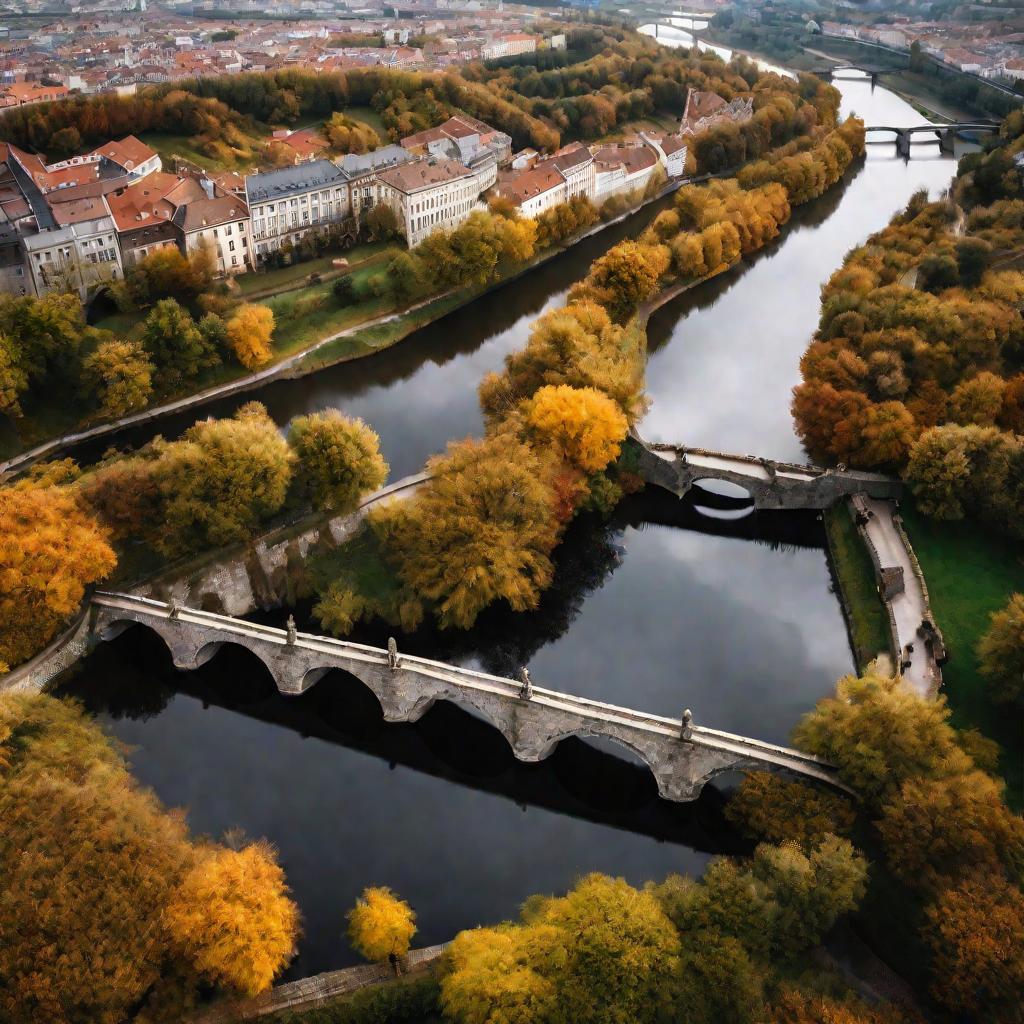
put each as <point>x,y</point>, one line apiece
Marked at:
<point>976,932</point>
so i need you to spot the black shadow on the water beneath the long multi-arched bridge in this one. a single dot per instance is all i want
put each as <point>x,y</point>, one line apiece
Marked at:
<point>133,678</point>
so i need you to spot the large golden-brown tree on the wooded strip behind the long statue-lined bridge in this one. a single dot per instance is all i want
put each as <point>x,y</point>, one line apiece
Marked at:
<point>482,531</point>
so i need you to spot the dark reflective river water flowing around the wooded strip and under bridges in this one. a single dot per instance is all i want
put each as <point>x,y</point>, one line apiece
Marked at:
<point>665,608</point>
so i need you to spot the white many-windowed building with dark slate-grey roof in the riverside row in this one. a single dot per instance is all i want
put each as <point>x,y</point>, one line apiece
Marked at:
<point>288,204</point>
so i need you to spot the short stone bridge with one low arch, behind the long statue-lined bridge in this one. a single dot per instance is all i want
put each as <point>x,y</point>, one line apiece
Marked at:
<point>771,485</point>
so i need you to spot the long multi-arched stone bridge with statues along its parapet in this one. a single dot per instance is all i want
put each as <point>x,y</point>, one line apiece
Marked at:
<point>682,757</point>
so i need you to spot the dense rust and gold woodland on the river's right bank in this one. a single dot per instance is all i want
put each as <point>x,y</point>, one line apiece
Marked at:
<point>918,365</point>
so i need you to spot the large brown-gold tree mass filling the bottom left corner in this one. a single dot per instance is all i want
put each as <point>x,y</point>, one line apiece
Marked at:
<point>88,861</point>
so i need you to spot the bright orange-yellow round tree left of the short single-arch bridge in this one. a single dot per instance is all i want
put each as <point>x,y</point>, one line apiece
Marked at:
<point>585,428</point>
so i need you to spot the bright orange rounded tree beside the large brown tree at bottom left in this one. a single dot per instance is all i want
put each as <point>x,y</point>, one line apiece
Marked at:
<point>232,918</point>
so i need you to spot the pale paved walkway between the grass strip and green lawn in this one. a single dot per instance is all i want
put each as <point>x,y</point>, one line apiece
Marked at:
<point>911,608</point>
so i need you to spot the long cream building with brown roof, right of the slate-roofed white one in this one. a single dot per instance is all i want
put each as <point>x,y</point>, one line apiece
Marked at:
<point>432,194</point>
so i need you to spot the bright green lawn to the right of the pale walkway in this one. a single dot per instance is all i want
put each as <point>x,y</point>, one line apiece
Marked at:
<point>971,572</point>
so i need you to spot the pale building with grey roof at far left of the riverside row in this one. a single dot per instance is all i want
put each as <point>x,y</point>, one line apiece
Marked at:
<point>80,257</point>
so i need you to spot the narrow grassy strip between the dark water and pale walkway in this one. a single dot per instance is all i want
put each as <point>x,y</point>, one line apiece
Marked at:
<point>866,615</point>
